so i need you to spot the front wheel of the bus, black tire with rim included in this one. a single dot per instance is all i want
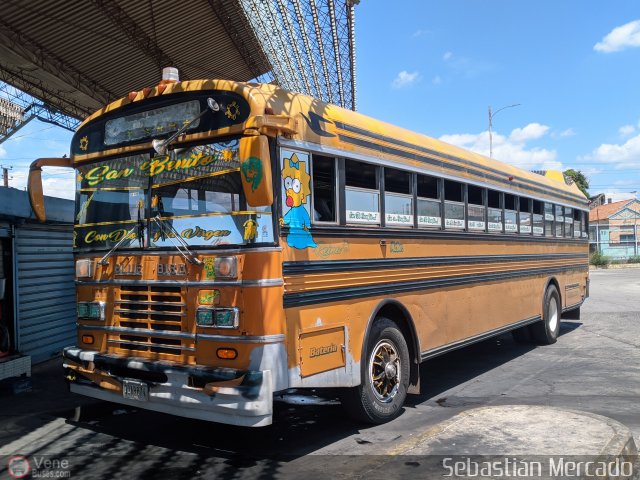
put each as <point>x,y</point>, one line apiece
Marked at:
<point>384,376</point>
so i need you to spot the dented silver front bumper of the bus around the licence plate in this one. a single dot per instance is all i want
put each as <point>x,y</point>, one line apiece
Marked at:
<point>213,394</point>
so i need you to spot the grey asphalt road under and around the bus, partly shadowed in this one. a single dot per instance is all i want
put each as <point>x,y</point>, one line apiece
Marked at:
<point>594,367</point>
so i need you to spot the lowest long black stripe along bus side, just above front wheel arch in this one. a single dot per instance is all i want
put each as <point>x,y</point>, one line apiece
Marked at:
<point>363,291</point>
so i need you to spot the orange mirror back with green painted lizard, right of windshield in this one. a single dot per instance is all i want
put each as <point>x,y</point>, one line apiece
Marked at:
<point>255,170</point>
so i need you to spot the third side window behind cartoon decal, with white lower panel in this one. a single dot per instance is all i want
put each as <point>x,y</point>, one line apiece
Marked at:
<point>398,198</point>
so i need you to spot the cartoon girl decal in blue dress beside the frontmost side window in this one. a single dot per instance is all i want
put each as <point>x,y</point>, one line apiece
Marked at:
<point>296,191</point>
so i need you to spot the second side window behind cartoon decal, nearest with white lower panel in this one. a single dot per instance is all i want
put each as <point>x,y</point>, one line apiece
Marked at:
<point>362,192</point>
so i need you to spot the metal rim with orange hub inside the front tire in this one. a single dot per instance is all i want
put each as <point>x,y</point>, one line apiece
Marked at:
<point>384,371</point>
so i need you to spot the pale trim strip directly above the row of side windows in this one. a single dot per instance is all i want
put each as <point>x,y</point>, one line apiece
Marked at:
<point>313,147</point>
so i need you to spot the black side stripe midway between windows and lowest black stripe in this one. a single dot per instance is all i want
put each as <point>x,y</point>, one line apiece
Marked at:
<point>332,266</point>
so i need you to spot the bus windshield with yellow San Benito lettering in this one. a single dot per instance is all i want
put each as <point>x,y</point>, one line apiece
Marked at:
<point>147,199</point>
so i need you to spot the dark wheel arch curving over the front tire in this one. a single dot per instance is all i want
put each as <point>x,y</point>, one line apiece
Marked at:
<point>398,313</point>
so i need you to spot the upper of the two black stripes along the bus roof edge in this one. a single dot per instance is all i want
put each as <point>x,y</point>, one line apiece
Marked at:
<point>428,151</point>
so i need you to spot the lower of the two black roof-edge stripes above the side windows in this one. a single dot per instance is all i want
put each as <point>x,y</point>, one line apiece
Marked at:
<point>439,163</point>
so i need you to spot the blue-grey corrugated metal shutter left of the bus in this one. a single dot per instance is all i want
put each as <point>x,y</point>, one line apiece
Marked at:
<point>46,299</point>
